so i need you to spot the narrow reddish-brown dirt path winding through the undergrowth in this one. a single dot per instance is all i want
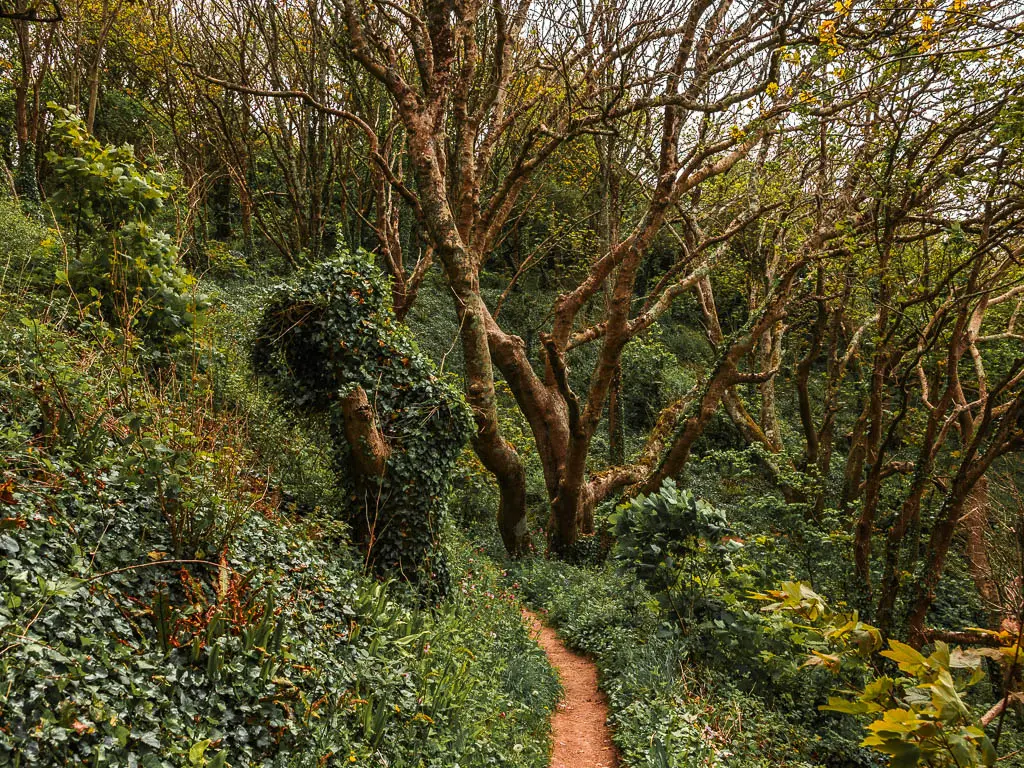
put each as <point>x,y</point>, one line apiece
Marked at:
<point>579,732</point>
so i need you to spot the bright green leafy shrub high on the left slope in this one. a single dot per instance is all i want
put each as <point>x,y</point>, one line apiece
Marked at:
<point>107,202</point>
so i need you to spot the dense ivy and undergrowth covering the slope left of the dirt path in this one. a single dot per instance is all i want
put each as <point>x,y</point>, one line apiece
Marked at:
<point>167,599</point>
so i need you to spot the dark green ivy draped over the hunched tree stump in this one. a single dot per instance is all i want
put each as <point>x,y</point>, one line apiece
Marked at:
<point>333,330</point>
